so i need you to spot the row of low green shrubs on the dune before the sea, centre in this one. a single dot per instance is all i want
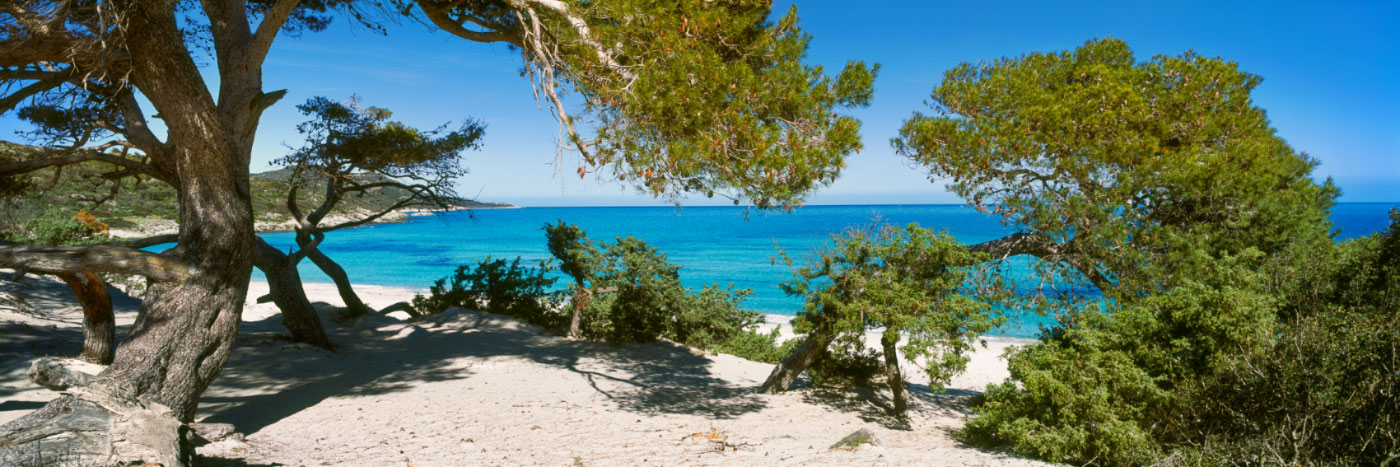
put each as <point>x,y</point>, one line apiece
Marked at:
<point>624,292</point>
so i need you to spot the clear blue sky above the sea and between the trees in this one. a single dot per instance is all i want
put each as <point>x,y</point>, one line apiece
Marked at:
<point>1331,85</point>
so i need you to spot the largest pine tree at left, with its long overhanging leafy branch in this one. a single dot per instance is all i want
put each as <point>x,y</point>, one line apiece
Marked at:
<point>738,114</point>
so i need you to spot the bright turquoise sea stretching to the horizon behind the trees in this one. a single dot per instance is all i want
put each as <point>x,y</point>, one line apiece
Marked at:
<point>713,245</point>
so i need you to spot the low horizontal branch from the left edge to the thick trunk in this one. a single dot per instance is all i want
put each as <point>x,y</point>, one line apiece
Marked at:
<point>93,259</point>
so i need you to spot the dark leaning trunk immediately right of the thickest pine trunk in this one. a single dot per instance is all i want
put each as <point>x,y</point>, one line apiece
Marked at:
<point>285,287</point>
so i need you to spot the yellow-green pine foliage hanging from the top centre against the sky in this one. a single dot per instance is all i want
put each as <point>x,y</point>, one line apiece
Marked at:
<point>720,101</point>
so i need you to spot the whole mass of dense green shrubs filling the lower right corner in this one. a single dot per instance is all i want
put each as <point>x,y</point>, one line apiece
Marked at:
<point>1241,364</point>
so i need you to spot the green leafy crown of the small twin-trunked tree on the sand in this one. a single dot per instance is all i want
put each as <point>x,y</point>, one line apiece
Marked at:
<point>915,283</point>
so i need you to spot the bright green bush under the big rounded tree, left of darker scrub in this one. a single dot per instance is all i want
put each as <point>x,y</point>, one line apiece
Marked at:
<point>1109,387</point>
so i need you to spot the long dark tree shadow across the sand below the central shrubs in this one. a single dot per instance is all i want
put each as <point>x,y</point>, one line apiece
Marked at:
<point>269,380</point>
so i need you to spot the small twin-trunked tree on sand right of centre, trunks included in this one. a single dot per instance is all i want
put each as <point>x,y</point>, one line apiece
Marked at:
<point>905,280</point>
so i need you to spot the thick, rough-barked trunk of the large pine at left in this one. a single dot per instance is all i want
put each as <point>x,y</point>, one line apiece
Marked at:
<point>184,336</point>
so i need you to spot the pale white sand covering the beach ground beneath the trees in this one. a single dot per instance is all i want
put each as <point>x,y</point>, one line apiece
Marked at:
<point>468,388</point>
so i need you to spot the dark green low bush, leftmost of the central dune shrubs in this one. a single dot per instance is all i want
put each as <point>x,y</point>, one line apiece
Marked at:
<point>498,287</point>
